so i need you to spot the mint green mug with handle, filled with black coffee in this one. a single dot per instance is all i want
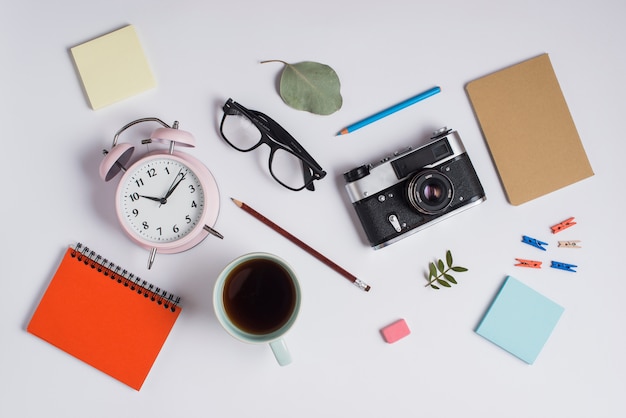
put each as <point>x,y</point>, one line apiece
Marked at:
<point>257,299</point>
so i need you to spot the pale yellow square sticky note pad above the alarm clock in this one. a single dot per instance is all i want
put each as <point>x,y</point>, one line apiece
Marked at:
<point>113,67</point>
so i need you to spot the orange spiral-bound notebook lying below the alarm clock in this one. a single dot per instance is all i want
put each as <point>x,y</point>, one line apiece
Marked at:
<point>105,316</point>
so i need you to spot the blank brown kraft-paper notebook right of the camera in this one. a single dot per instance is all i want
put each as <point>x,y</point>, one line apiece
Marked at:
<point>529,130</point>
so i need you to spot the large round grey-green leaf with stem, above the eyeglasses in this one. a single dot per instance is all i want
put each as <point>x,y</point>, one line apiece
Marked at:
<point>310,86</point>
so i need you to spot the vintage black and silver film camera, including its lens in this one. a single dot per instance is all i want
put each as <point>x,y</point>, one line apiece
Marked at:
<point>413,189</point>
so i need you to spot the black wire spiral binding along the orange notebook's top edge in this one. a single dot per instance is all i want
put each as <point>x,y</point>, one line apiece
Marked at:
<point>134,283</point>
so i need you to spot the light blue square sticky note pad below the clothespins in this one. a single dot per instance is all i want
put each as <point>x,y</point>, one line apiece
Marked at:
<point>520,320</point>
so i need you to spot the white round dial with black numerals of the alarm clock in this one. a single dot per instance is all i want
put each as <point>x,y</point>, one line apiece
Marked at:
<point>161,200</point>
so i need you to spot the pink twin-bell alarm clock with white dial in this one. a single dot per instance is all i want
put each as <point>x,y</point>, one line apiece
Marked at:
<point>167,201</point>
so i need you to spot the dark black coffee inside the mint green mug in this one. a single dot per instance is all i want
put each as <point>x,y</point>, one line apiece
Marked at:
<point>259,296</point>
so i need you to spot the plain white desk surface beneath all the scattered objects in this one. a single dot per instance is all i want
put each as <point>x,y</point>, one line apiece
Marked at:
<point>204,52</point>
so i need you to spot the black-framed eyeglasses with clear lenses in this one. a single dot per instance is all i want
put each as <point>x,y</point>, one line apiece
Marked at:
<point>289,163</point>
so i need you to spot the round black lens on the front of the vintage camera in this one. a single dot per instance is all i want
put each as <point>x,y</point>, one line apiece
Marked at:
<point>430,192</point>
